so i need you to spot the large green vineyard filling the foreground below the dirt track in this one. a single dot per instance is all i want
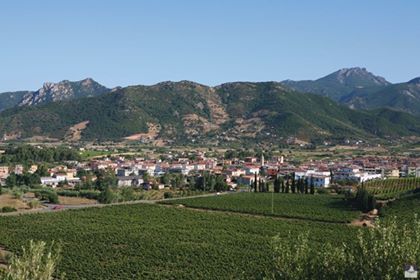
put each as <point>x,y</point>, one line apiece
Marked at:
<point>156,242</point>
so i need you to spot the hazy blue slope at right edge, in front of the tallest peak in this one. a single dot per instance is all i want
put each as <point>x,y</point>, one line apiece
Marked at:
<point>403,97</point>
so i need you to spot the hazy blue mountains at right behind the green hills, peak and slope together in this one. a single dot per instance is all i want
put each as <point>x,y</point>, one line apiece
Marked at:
<point>359,89</point>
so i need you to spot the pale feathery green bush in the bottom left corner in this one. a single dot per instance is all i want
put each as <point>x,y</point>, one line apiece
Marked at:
<point>38,261</point>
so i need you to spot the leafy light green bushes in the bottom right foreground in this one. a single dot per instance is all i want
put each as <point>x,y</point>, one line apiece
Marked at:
<point>378,253</point>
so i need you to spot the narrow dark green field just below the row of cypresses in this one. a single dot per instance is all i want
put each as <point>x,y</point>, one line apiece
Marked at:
<point>328,208</point>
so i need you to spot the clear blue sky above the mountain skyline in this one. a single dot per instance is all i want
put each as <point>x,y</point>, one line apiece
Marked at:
<point>209,41</point>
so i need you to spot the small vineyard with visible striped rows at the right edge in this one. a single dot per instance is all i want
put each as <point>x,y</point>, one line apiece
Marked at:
<point>391,188</point>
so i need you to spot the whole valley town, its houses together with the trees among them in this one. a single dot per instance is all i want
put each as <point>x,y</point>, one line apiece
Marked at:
<point>172,172</point>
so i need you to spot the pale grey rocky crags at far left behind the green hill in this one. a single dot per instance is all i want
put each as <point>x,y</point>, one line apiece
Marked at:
<point>52,92</point>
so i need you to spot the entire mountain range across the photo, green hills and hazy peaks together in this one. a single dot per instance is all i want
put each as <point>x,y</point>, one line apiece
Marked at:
<point>187,112</point>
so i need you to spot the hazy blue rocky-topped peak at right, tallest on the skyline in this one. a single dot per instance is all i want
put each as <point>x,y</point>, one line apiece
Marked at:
<point>340,83</point>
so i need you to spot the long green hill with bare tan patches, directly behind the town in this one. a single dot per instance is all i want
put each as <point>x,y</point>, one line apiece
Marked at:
<point>187,112</point>
